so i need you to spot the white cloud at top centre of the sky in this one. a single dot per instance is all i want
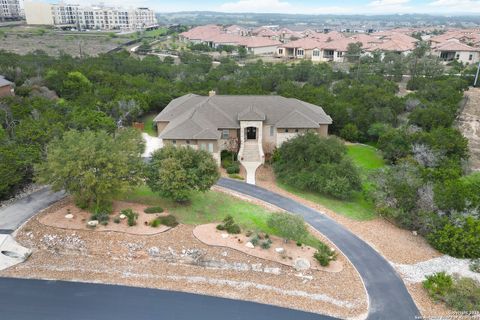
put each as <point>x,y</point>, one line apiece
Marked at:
<point>257,6</point>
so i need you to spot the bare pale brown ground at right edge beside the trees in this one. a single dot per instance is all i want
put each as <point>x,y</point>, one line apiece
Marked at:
<point>469,124</point>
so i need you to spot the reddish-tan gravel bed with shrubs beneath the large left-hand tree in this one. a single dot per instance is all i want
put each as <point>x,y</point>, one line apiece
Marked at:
<point>56,218</point>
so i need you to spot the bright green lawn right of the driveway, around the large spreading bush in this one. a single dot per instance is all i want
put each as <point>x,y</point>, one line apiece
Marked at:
<point>367,159</point>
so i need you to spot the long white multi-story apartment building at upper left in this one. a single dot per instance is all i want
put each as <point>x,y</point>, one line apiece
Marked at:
<point>93,18</point>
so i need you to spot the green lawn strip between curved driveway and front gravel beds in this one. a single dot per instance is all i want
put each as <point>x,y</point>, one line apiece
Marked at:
<point>210,207</point>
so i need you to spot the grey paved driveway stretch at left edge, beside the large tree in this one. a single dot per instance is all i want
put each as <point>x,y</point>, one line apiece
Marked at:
<point>13,216</point>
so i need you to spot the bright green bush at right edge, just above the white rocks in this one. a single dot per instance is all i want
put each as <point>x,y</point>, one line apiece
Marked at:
<point>461,240</point>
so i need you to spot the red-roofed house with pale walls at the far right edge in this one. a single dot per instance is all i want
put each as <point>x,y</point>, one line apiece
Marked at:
<point>453,49</point>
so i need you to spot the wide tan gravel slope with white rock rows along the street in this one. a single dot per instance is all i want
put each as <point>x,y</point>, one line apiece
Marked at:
<point>177,260</point>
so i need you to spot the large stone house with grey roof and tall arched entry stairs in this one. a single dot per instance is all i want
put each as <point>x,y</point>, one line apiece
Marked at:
<point>257,123</point>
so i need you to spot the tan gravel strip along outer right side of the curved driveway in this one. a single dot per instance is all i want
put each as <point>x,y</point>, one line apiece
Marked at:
<point>395,244</point>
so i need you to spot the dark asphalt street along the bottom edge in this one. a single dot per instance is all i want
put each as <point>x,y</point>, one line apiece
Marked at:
<point>23,299</point>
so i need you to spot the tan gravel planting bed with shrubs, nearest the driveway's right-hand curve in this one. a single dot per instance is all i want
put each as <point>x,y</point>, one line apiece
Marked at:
<point>208,234</point>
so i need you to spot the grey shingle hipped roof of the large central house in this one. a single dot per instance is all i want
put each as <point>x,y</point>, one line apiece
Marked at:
<point>199,117</point>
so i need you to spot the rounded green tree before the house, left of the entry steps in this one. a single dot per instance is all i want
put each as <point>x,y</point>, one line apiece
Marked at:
<point>175,172</point>
